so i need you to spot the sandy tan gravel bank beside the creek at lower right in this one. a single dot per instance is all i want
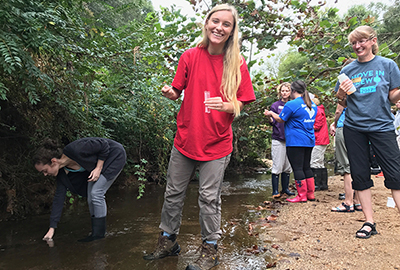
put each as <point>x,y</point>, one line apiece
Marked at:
<point>310,236</point>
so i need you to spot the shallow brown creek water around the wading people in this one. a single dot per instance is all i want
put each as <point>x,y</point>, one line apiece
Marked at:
<point>132,227</point>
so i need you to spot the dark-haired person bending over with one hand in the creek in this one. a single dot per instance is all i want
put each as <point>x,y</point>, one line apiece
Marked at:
<point>86,167</point>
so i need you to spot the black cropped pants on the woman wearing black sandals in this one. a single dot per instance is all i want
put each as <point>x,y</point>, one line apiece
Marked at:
<point>387,153</point>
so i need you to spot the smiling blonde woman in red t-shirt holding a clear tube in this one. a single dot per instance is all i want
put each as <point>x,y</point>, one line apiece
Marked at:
<point>216,85</point>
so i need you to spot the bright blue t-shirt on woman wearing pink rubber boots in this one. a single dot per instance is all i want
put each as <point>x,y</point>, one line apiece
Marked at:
<point>299,123</point>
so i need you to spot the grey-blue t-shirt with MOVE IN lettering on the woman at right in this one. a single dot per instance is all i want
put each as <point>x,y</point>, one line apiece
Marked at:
<point>368,109</point>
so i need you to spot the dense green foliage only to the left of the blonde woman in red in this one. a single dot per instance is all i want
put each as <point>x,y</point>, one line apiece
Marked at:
<point>68,71</point>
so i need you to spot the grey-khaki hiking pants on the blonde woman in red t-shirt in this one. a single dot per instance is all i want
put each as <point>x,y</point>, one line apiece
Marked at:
<point>180,171</point>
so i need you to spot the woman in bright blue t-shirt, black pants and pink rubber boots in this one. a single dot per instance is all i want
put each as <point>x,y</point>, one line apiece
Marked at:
<point>299,117</point>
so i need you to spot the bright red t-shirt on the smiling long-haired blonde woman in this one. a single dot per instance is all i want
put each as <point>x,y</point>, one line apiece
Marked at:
<point>205,136</point>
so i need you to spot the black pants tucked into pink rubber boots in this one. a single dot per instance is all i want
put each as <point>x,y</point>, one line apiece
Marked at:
<point>299,158</point>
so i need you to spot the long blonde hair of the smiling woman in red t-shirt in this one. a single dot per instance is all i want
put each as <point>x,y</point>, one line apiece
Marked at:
<point>231,76</point>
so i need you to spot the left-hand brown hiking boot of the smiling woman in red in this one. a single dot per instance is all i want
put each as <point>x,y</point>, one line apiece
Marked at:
<point>166,246</point>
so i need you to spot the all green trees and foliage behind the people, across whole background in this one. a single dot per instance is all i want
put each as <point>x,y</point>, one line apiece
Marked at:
<point>71,69</point>
